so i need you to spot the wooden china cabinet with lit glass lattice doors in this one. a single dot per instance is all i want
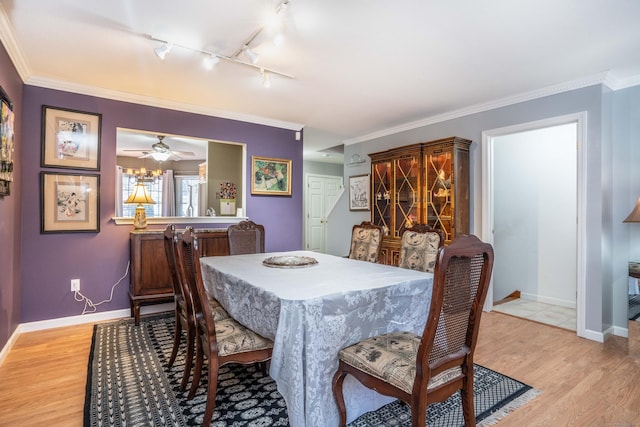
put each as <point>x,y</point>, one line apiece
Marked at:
<point>426,183</point>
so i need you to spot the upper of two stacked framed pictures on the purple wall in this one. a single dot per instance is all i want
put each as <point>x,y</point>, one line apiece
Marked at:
<point>70,139</point>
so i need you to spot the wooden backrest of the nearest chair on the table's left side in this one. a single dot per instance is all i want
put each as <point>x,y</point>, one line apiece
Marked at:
<point>189,257</point>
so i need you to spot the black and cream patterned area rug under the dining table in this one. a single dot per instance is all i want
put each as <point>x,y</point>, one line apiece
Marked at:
<point>129,384</point>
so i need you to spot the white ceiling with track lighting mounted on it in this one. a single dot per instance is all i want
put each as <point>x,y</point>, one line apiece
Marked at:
<point>360,67</point>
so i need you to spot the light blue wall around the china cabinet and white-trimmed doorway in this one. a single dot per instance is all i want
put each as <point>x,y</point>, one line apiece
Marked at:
<point>613,138</point>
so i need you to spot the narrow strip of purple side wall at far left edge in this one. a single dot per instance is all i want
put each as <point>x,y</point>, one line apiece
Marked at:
<point>10,212</point>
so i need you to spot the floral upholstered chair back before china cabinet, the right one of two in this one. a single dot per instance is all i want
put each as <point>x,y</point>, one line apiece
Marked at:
<point>419,247</point>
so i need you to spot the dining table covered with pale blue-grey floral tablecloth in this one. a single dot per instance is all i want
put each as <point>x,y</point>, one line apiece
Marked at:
<point>312,305</point>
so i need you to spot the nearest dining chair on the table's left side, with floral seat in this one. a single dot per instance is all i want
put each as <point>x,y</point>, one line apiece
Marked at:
<point>221,342</point>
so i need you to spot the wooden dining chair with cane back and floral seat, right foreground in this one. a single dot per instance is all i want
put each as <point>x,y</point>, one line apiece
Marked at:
<point>427,368</point>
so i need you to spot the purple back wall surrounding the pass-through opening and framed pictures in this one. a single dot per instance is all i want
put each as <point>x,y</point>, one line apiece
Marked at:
<point>99,259</point>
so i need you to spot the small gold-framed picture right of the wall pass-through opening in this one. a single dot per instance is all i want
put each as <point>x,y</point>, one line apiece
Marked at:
<point>270,176</point>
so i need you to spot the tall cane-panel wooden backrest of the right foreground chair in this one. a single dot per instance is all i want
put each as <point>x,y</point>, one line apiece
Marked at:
<point>461,279</point>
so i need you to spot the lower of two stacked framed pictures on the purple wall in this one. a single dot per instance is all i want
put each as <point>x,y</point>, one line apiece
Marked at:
<point>69,203</point>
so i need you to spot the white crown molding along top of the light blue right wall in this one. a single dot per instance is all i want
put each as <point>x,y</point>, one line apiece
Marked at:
<point>602,78</point>
